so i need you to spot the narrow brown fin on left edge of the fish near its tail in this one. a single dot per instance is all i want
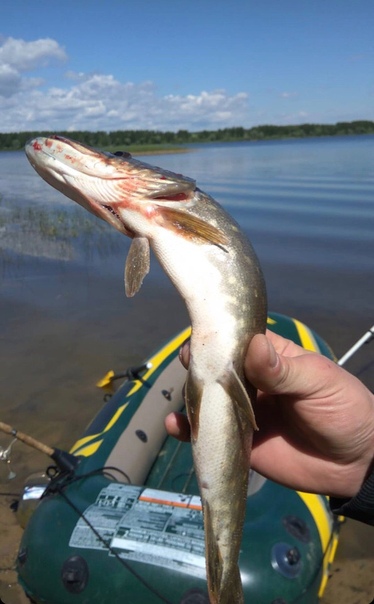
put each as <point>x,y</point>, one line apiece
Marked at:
<point>214,558</point>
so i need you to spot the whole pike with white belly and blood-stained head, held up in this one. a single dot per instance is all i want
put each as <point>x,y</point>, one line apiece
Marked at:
<point>216,271</point>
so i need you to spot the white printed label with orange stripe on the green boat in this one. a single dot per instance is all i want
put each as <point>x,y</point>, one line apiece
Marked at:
<point>146,525</point>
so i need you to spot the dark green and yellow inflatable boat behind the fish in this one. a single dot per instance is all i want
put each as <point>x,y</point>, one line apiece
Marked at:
<point>121,520</point>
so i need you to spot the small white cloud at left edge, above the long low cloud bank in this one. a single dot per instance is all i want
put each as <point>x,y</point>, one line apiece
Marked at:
<point>18,57</point>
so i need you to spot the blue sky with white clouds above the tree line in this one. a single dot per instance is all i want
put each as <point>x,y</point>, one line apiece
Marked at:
<point>176,64</point>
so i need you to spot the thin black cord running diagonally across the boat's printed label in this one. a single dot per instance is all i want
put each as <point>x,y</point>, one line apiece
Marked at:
<point>59,489</point>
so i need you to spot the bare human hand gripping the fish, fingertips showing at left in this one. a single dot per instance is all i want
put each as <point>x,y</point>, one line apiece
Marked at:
<point>316,420</point>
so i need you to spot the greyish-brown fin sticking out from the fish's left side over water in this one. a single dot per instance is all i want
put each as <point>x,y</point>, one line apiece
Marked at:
<point>137,265</point>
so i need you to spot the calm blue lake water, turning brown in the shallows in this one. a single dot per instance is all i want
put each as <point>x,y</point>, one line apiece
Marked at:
<point>307,206</point>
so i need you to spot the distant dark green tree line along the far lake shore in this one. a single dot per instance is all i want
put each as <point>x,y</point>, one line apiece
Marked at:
<point>128,138</point>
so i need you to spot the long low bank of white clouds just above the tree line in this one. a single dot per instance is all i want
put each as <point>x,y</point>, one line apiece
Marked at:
<point>101,102</point>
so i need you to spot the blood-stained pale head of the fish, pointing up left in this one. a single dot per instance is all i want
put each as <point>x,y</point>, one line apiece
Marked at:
<point>105,184</point>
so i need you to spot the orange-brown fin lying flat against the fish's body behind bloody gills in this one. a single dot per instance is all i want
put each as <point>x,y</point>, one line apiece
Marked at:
<point>192,227</point>
